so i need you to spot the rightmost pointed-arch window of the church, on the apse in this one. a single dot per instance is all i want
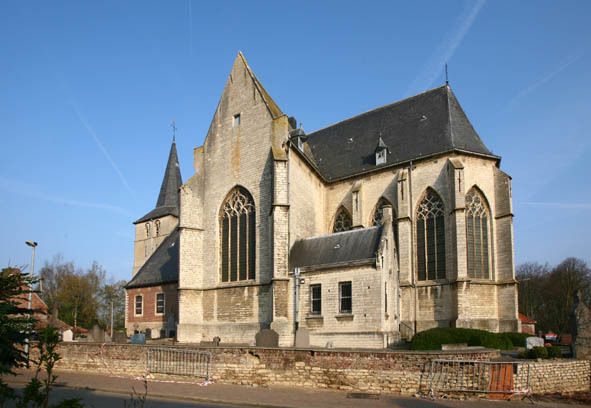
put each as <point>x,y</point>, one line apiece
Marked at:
<point>477,235</point>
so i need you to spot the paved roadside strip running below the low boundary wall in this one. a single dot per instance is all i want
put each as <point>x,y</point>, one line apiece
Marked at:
<point>112,391</point>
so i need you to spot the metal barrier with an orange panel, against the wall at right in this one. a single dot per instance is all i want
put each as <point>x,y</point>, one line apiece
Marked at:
<point>500,380</point>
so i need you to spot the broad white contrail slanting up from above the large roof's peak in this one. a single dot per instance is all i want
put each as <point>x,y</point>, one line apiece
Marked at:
<point>446,49</point>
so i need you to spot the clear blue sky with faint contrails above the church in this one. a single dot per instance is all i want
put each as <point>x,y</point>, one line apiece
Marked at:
<point>88,91</point>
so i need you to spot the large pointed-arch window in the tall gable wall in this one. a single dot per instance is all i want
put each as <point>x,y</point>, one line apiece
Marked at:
<point>238,236</point>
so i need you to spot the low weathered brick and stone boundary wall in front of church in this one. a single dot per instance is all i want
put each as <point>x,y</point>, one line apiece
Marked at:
<point>397,372</point>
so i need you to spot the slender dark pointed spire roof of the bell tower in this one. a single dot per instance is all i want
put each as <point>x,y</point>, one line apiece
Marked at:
<point>168,199</point>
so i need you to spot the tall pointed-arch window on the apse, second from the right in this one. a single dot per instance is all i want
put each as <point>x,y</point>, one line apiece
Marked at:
<point>430,227</point>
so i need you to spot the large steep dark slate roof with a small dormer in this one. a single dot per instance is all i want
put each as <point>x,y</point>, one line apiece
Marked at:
<point>423,125</point>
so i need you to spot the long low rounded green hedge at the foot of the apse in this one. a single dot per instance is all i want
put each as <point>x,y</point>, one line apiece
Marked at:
<point>432,339</point>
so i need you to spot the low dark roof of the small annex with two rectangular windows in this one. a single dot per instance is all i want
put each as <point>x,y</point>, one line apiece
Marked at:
<point>336,249</point>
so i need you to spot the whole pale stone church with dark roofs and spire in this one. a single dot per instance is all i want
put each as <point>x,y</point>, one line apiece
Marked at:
<point>360,234</point>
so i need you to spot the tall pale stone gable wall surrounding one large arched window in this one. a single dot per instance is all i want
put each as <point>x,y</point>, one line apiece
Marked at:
<point>231,156</point>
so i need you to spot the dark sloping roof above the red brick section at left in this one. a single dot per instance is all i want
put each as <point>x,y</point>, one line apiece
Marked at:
<point>160,268</point>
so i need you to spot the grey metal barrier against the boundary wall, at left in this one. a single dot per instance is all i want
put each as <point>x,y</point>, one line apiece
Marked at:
<point>178,361</point>
